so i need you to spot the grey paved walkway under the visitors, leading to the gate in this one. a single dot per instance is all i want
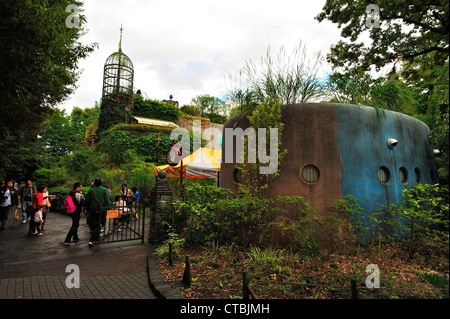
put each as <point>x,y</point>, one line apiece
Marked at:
<point>34,267</point>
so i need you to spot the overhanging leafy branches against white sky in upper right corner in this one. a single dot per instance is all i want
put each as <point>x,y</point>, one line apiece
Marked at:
<point>407,30</point>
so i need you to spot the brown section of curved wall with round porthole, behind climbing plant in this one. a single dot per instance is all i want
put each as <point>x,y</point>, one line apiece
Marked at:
<point>310,136</point>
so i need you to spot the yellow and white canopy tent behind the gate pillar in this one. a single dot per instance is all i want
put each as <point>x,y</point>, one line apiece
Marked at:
<point>203,163</point>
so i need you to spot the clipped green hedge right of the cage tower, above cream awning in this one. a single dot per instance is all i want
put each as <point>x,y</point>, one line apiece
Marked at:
<point>155,109</point>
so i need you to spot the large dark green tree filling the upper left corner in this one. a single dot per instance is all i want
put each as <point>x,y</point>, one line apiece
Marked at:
<point>38,60</point>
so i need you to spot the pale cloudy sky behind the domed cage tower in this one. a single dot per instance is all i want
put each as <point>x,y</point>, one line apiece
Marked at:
<point>190,48</point>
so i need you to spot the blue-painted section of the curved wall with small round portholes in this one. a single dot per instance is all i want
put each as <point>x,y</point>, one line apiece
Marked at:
<point>362,140</point>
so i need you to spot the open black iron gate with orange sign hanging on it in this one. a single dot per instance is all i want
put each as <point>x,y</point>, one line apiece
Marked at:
<point>121,223</point>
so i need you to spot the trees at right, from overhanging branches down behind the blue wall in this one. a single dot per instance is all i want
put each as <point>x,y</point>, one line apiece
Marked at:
<point>413,40</point>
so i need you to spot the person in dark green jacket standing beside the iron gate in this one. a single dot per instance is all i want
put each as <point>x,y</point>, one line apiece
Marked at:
<point>96,197</point>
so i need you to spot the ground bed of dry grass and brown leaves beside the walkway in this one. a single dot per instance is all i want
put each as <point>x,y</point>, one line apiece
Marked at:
<point>282,274</point>
